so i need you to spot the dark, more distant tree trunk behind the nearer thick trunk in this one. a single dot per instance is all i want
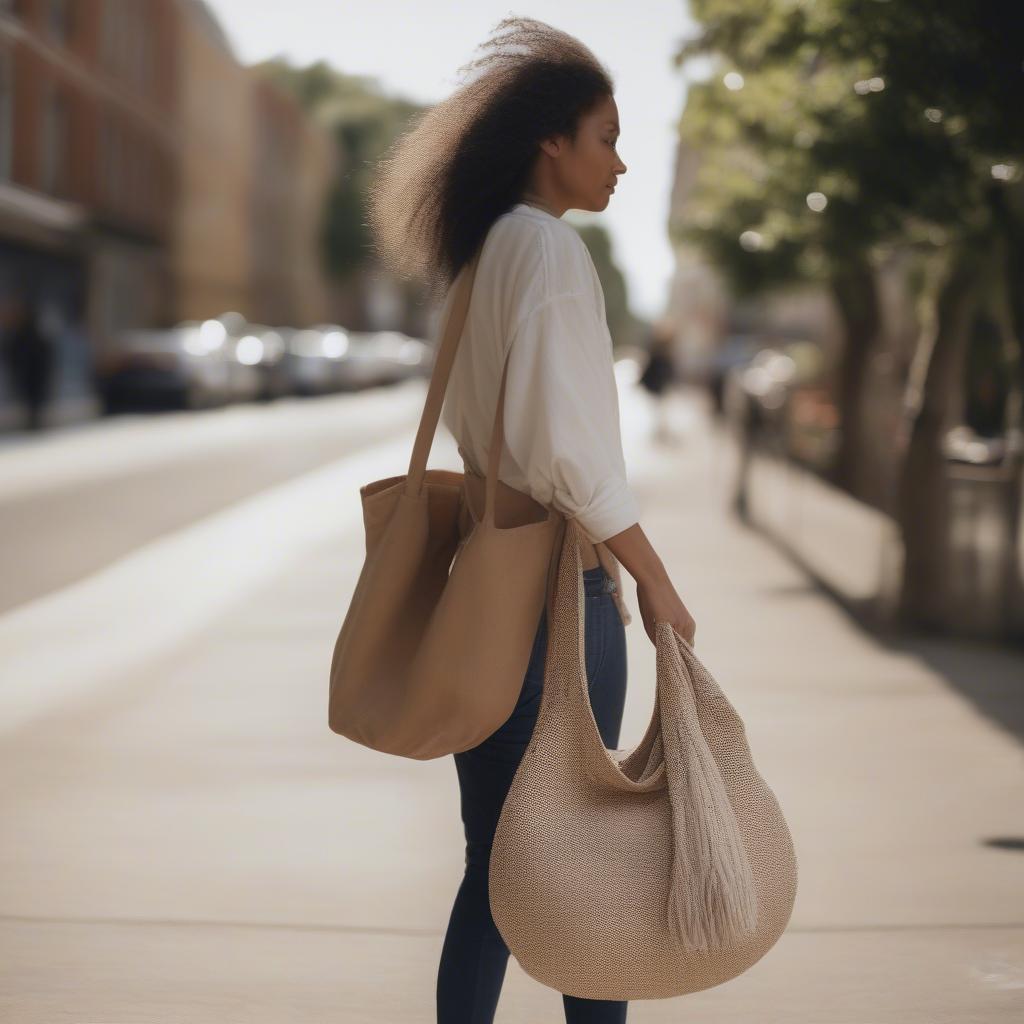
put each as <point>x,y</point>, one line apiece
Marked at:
<point>856,292</point>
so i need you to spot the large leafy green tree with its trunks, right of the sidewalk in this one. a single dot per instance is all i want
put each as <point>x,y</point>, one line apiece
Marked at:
<point>903,119</point>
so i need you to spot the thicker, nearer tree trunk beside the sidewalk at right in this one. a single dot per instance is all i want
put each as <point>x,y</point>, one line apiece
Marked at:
<point>923,505</point>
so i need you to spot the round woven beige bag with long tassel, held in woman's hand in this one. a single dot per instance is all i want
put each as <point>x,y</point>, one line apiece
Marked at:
<point>644,874</point>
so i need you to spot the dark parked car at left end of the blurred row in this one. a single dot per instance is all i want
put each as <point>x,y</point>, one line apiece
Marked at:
<point>184,367</point>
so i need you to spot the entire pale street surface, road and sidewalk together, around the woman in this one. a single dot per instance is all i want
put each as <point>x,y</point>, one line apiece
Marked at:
<point>186,841</point>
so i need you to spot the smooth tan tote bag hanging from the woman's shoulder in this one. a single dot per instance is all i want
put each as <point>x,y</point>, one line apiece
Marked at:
<point>434,649</point>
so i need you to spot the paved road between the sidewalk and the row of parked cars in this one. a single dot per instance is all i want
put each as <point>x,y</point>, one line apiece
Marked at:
<point>74,501</point>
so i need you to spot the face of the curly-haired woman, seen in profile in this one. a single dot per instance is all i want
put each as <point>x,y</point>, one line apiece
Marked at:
<point>586,172</point>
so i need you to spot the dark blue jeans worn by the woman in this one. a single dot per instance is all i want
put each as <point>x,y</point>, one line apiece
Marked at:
<point>475,956</point>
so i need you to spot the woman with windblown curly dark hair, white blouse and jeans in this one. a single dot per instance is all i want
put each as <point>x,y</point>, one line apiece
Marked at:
<point>531,135</point>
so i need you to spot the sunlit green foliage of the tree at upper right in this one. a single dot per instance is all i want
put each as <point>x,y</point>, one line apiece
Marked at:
<point>895,112</point>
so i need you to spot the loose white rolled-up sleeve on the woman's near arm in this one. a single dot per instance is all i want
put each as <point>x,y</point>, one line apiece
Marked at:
<point>562,416</point>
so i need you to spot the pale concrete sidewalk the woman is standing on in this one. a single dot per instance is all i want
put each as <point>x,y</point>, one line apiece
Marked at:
<point>191,843</point>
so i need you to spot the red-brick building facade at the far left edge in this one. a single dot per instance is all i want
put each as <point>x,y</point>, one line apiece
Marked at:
<point>89,172</point>
